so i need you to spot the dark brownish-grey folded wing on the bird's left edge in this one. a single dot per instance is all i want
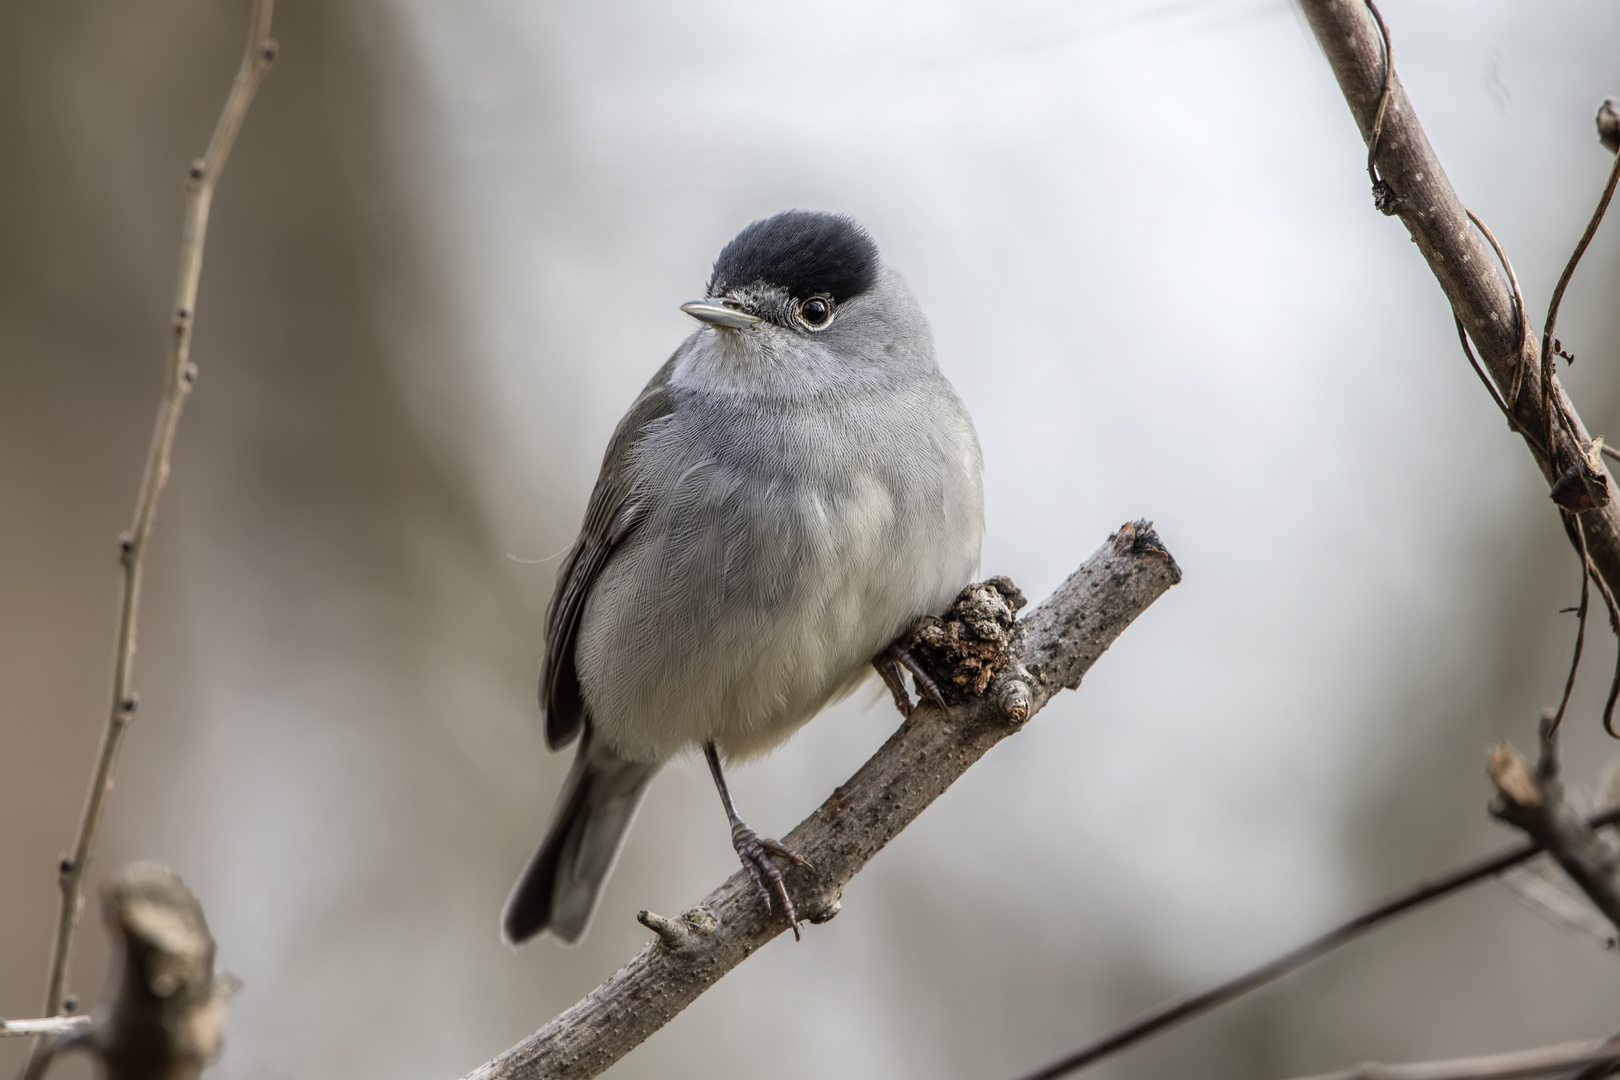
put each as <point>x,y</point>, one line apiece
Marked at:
<point>608,517</point>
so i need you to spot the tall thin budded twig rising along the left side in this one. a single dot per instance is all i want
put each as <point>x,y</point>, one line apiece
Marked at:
<point>202,179</point>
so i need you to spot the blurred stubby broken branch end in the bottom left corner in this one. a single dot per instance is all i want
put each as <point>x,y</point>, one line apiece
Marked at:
<point>164,1018</point>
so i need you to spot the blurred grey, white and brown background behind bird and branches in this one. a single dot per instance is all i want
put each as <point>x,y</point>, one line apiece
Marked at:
<point>445,258</point>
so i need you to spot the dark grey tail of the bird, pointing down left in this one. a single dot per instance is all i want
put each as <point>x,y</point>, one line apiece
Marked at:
<point>563,883</point>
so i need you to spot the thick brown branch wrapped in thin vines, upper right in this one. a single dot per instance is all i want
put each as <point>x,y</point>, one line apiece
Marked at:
<point>1459,257</point>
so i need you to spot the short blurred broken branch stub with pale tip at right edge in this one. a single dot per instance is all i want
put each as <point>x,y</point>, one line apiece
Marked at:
<point>1535,804</point>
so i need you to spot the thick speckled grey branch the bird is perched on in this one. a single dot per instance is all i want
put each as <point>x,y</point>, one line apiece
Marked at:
<point>1051,650</point>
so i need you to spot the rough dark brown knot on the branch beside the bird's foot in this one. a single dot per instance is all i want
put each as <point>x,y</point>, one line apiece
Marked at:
<point>974,642</point>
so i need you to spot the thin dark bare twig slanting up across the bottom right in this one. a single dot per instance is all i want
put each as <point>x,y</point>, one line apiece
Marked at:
<point>1180,1010</point>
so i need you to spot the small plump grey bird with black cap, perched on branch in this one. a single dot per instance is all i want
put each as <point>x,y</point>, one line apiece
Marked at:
<point>793,491</point>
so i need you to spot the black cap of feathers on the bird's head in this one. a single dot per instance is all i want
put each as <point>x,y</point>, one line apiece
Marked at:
<point>804,252</point>
